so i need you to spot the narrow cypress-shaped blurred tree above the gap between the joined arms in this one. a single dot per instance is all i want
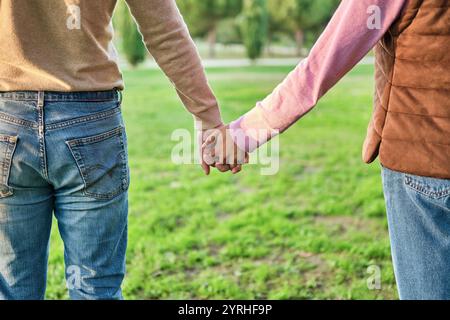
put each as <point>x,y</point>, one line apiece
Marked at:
<point>254,20</point>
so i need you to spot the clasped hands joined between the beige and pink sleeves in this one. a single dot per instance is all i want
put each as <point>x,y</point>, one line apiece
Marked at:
<point>220,151</point>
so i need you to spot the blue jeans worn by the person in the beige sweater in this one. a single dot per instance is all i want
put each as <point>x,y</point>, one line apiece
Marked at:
<point>63,153</point>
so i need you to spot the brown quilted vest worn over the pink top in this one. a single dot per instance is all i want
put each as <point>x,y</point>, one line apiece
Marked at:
<point>410,126</point>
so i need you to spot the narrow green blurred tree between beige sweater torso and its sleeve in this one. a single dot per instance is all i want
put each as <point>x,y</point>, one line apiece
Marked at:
<point>132,45</point>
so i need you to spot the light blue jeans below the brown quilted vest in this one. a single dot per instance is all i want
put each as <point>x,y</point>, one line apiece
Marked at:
<point>418,210</point>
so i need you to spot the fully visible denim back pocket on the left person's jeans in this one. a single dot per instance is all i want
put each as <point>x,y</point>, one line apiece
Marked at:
<point>102,162</point>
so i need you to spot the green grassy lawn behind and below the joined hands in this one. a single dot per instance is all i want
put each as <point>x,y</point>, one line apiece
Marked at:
<point>308,232</point>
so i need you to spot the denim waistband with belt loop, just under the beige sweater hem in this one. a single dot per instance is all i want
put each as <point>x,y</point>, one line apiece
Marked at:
<point>86,96</point>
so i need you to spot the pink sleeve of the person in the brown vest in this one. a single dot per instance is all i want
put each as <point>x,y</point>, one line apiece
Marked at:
<point>350,35</point>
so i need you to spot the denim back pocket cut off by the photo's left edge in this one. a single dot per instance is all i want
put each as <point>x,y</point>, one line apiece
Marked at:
<point>7,148</point>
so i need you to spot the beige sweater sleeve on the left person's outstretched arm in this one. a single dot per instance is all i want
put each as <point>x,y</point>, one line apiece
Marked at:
<point>167,39</point>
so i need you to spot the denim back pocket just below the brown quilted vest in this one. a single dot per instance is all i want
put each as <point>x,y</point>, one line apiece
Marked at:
<point>430,187</point>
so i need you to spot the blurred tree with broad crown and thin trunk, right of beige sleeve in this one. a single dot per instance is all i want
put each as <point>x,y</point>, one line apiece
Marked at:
<point>203,17</point>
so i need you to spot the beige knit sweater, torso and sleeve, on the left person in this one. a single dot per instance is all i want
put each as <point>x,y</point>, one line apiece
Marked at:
<point>66,45</point>
